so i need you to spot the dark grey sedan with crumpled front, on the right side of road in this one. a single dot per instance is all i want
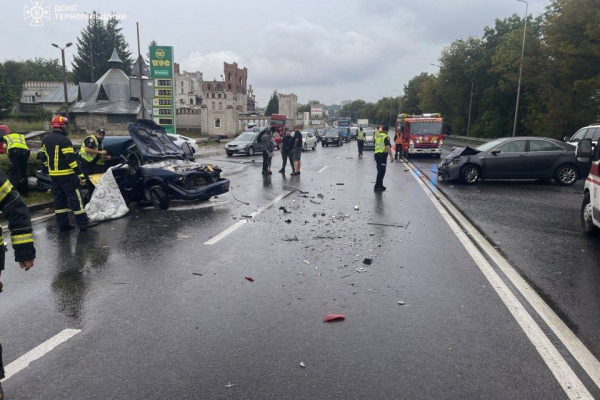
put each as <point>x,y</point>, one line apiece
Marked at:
<point>514,158</point>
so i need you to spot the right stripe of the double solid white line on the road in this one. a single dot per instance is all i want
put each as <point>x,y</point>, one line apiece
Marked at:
<point>584,357</point>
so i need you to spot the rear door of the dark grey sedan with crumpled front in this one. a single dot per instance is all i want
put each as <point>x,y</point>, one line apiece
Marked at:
<point>543,158</point>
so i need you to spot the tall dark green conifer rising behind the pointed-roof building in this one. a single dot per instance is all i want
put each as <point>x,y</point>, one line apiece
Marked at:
<point>102,37</point>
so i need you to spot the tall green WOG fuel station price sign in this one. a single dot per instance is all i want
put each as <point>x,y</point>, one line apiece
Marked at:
<point>163,103</point>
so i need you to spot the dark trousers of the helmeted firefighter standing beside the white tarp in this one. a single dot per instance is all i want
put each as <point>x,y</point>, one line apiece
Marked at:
<point>67,197</point>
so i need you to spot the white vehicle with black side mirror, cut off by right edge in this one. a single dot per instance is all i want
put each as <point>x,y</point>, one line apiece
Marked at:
<point>590,206</point>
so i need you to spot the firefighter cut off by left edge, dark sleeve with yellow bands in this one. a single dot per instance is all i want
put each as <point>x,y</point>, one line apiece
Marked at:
<point>15,211</point>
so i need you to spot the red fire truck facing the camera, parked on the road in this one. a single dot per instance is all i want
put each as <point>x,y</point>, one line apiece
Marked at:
<point>421,134</point>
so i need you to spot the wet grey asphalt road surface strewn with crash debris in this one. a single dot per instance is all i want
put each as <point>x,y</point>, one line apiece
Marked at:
<point>162,315</point>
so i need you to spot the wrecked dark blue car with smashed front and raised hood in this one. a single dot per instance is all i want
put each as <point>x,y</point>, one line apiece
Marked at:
<point>149,167</point>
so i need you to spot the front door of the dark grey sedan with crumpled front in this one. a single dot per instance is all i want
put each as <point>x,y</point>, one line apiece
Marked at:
<point>507,160</point>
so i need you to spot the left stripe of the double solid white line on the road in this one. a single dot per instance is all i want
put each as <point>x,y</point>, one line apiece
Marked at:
<point>561,370</point>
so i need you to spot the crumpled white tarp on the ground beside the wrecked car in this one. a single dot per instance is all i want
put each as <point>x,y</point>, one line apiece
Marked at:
<point>107,202</point>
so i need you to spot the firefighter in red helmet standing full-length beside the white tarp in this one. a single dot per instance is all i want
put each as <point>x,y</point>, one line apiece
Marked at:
<point>66,177</point>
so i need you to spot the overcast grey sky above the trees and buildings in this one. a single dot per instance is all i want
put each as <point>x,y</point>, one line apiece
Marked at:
<point>329,50</point>
